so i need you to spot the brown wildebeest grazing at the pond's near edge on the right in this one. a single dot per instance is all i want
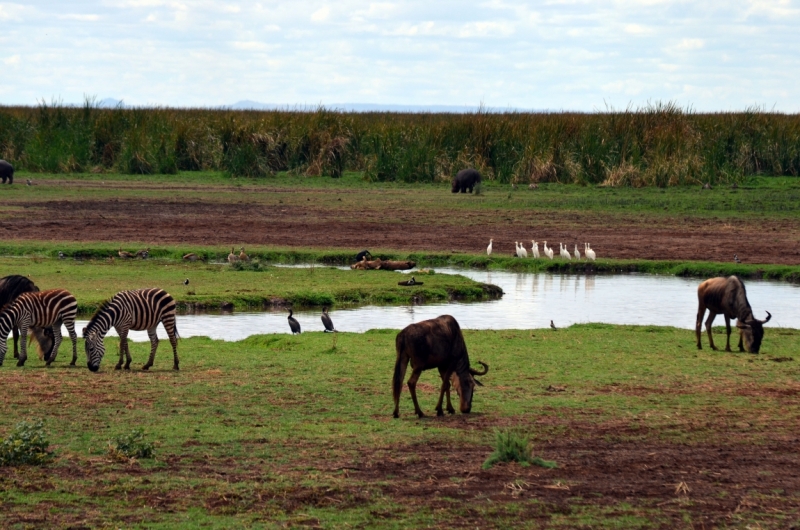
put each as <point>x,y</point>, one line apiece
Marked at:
<point>727,296</point>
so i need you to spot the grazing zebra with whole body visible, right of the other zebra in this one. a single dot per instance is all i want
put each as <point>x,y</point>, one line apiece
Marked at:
<point>131,310</point>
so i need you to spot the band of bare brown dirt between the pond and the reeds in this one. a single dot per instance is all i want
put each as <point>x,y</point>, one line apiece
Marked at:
<point>315,219</point>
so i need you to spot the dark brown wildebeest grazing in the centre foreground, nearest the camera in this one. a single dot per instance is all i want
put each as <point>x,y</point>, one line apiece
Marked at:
<point>436,343</point>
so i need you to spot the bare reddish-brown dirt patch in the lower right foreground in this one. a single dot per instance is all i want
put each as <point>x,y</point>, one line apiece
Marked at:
<point>715,484</point>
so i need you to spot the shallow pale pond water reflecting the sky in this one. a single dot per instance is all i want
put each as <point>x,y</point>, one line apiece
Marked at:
<point>530,301</point>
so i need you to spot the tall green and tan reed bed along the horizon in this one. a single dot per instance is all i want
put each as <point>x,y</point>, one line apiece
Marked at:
<point>658,145</point>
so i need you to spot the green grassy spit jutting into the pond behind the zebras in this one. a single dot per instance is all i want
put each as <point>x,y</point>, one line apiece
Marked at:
<point>214,285</point>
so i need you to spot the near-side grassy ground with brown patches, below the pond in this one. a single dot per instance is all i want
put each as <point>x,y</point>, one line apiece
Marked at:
<point>287,430</point>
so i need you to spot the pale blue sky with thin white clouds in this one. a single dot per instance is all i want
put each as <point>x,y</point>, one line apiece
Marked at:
<point>555,55</point>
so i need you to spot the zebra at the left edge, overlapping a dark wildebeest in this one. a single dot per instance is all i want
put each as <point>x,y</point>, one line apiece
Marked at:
<point>40,310</point>
